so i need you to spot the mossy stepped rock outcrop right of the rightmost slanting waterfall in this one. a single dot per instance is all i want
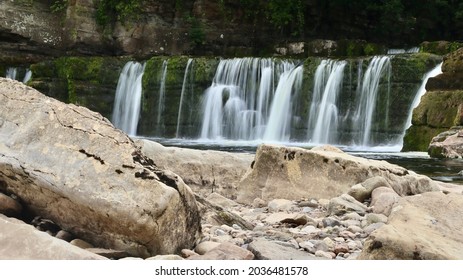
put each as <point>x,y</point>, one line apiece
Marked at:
<point>440,107</point>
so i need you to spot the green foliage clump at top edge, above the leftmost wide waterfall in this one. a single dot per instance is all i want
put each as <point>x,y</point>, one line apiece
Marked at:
<point>110,11</point>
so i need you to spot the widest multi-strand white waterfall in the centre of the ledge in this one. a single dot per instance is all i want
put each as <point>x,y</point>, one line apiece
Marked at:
<point>237,104</point>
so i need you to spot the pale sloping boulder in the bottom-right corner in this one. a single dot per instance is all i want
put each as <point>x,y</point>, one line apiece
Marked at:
<point>426,226</point>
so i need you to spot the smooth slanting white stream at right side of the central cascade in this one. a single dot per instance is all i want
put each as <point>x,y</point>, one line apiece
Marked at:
<point>280,113</point>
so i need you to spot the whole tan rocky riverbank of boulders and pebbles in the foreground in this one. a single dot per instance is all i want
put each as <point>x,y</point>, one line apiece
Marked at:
<point>85,190</point>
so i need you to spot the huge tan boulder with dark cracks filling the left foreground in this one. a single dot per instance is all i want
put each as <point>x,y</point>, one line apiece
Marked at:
<point>70,165</point>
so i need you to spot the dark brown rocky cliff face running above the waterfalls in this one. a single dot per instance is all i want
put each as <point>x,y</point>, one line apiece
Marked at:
<point>30,30</point>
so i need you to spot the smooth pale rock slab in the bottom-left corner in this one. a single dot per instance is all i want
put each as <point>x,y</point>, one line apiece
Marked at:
<point>20,241</point>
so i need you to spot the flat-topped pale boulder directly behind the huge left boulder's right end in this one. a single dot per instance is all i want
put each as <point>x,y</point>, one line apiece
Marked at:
<point>205,171</point>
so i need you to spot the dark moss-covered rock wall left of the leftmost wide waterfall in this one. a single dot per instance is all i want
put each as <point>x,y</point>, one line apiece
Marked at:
<point>86,81</point>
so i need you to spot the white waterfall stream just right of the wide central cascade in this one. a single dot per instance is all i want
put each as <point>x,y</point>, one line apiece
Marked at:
<point>323,117</point>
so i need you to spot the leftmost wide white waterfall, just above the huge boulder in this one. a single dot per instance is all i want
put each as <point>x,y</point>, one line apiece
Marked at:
<point>126,111</point>
